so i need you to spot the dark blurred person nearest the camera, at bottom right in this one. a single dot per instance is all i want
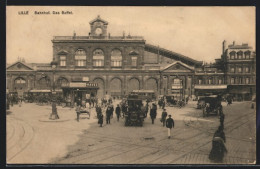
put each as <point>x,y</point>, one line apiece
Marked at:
<point>218,150</point>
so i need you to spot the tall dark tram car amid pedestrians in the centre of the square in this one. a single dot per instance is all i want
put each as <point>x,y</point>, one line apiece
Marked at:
<point>135,114</point>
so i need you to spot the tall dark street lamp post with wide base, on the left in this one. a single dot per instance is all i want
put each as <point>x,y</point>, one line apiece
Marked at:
<point>54,114</point>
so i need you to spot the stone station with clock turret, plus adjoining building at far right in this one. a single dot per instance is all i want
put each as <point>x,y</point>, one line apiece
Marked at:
<point>100,64</point>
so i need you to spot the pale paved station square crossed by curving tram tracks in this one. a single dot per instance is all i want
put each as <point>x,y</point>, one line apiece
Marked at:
<point>70,142</point>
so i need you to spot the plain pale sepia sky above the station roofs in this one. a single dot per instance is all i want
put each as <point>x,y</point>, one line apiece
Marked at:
<point>196,32</point>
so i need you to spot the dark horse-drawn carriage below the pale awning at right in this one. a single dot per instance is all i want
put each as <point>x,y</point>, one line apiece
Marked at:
<point>211,105</point>
